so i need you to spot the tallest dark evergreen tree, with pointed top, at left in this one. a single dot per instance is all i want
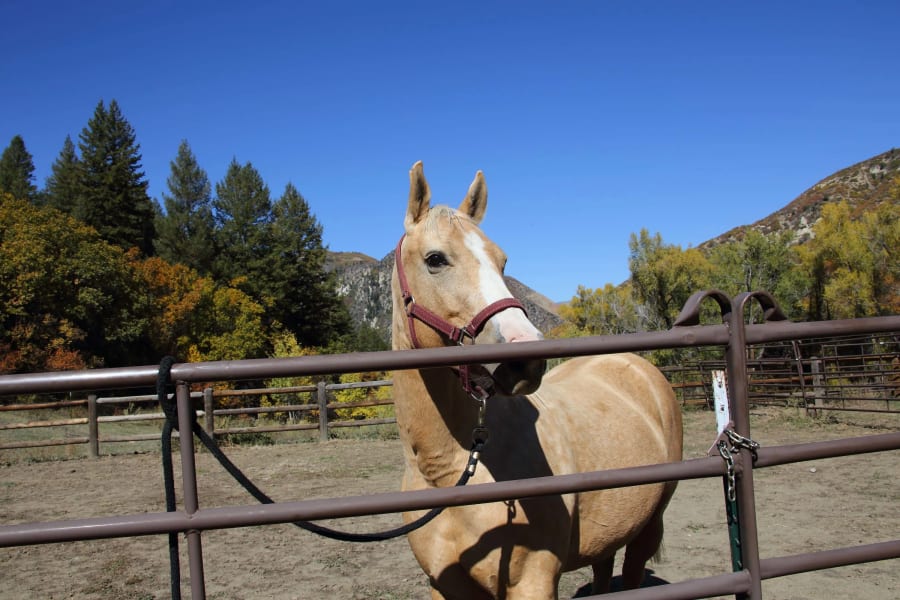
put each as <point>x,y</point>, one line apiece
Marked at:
<point>113,192</point>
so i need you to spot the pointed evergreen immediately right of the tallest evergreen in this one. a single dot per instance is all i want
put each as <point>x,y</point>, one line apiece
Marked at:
<point>185,232</point>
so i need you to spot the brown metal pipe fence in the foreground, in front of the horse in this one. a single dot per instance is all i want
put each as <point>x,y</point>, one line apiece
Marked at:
<point>733,335</point>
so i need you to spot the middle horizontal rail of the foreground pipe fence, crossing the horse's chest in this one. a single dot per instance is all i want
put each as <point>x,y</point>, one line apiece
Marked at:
<point>394,502</point>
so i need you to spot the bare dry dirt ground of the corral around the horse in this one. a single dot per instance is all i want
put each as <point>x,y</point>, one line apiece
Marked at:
<point>802,507</point>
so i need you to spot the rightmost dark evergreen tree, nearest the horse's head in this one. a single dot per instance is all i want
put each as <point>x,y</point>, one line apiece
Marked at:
<point>304,293</point>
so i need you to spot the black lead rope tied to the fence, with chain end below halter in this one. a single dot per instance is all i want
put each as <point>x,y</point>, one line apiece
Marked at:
<point>171,412</point>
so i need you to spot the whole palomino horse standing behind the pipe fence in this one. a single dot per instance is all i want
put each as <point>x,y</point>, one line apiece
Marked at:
<point>587,414</point>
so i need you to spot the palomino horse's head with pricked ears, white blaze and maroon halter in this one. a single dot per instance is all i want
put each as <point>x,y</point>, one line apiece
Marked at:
<point>448,284</point>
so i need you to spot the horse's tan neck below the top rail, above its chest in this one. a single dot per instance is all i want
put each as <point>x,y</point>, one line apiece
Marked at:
<point>436,419</point>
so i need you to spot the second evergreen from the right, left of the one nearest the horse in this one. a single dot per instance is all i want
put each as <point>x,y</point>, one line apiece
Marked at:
<point>243,215</point>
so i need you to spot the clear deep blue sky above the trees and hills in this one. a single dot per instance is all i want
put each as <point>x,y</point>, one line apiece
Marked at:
<point>590,120</point>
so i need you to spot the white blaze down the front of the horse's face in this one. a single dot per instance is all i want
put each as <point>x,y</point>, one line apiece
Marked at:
<point>511,324</point>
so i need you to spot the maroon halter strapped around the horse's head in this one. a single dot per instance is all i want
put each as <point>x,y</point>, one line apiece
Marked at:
<point>457,335</point>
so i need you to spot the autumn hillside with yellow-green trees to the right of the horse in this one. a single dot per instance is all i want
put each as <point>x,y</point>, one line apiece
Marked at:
<point>829,254</point>
